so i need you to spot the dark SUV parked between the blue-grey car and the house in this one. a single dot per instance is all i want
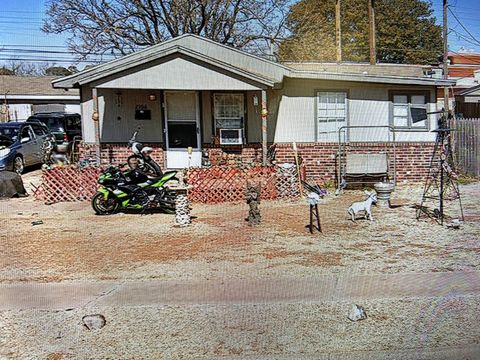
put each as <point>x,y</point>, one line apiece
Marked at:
<point>64,126</point>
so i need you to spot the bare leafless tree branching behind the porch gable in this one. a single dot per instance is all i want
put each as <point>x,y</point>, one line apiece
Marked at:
<point>124,26</point>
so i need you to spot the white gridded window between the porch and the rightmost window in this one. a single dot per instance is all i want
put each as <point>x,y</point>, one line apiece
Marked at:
<point>331,112</point>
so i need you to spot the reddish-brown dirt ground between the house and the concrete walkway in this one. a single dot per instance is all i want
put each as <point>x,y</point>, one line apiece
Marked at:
<point>73,243</point>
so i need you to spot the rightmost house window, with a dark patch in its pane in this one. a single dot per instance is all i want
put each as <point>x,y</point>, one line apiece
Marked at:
<point>402,104</point>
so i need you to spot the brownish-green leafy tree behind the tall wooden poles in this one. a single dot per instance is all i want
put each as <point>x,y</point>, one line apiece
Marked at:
<point>405,31</point>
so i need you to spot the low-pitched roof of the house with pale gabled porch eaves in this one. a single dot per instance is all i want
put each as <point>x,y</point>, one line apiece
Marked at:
<point>248,66</point>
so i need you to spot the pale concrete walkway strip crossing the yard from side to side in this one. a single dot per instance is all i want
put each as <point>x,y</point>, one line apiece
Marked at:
<point>58,296</point>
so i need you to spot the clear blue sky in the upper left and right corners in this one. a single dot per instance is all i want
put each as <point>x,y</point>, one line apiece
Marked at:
<point>21,37</point>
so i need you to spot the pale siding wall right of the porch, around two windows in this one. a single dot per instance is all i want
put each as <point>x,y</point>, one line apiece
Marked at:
<point>368,104</point>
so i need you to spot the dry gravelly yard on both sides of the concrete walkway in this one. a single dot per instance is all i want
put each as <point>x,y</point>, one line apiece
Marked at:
<point>74,246</point>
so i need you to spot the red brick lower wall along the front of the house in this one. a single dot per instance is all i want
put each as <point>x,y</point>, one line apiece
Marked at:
<point>413,159</point>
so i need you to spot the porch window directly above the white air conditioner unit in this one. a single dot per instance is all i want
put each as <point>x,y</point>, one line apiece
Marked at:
<point>228,111</point>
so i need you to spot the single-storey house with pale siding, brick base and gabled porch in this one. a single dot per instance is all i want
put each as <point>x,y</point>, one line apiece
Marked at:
<point>191,92</point>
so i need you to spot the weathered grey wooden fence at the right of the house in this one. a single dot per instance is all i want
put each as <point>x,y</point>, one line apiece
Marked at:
<point>467,146</point>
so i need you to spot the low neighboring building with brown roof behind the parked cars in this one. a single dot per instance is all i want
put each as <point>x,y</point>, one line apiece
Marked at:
<point>22,96</point>
